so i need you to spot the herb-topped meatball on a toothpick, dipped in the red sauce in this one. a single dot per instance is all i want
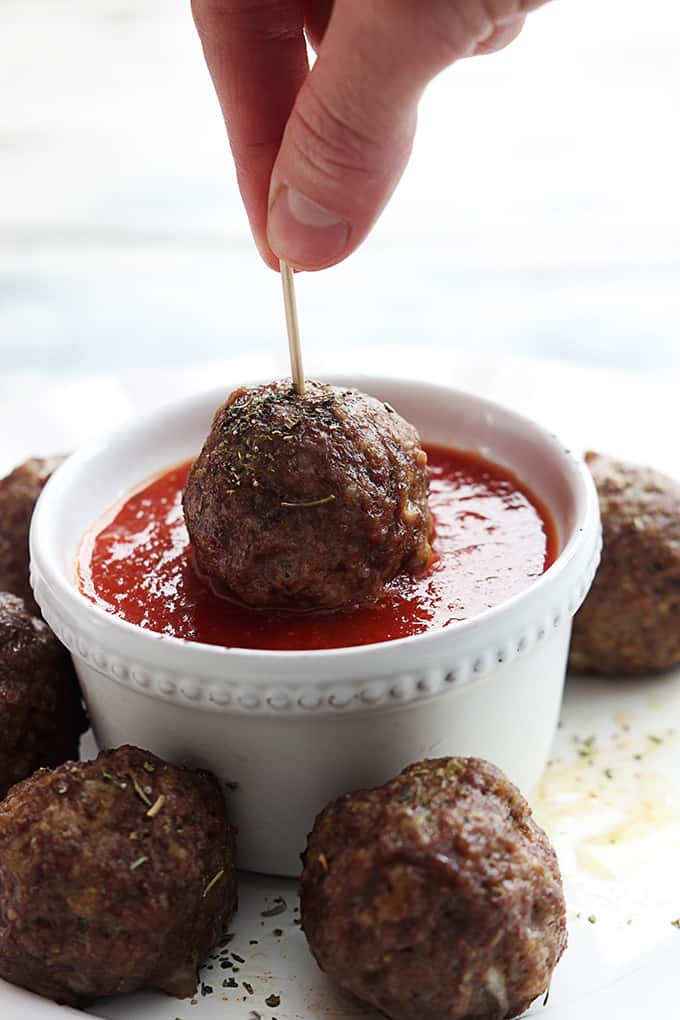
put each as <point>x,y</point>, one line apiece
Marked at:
<point>308,501</point>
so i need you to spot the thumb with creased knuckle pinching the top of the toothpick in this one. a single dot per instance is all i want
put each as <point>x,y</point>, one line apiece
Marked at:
<point>347,141</point>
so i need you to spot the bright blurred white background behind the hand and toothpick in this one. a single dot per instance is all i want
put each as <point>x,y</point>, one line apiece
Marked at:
<point>540,217</point>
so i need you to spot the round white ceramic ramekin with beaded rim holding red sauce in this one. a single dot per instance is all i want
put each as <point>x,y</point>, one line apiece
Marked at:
<point>287,732</point>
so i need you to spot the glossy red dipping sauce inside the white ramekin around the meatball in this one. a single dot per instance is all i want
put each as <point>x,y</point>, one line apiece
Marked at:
<point>493,540</point>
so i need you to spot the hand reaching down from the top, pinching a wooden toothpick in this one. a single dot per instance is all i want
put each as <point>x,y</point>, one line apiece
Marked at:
<point>319,154</point>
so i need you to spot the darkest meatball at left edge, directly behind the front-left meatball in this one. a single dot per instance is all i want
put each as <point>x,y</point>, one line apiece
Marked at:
<point>41,713</point>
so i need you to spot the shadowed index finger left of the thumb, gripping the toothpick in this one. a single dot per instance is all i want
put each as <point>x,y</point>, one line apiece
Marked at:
<point>257,58</point>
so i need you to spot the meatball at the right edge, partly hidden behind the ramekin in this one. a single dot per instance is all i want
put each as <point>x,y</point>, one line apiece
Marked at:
<point>631,622</point>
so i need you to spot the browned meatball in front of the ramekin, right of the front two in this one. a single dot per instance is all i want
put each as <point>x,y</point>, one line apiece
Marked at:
<point>436,895</point>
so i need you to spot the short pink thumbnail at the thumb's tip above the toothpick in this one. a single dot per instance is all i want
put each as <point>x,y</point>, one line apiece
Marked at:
<point>303,233</point>
